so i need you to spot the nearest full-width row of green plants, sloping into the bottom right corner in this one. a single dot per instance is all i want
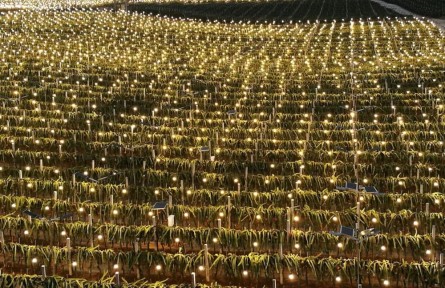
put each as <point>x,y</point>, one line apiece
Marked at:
<point>325,270</point>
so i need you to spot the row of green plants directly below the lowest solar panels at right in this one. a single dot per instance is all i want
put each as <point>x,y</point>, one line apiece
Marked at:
<point>230,240</point>
